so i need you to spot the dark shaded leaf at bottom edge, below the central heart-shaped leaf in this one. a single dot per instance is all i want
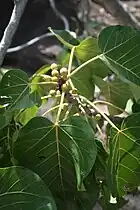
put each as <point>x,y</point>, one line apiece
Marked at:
<point>80,200</point>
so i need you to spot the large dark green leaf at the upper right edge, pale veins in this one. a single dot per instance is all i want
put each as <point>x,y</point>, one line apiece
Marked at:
<point>121,51</point>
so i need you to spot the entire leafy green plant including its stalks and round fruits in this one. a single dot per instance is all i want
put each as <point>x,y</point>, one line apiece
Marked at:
<point>53,152</point>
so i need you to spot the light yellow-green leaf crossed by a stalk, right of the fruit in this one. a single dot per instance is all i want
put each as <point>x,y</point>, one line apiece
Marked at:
<point>82,80</point>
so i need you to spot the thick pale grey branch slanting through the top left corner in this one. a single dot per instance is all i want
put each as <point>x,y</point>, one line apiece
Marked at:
<point>19,6</point>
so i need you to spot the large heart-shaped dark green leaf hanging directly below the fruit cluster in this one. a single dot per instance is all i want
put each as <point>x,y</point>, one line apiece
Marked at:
<point>56,152</point>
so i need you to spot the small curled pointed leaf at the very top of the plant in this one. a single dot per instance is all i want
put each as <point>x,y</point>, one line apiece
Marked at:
<point>65,37</point>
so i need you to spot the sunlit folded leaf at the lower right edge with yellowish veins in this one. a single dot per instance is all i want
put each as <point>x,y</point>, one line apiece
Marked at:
<point>124,158</point>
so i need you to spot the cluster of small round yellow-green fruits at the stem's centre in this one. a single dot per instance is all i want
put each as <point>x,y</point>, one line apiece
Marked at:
<point>60,76</point>
